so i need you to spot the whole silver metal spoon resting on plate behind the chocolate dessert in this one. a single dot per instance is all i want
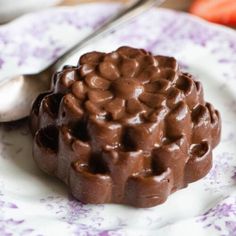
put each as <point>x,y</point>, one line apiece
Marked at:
<point>17,93</point>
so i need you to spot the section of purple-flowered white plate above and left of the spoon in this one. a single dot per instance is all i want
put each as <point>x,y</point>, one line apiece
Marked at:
<point>42,45</point>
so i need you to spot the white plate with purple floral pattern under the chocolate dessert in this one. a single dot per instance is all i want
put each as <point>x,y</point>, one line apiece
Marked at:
<point>32,203</point>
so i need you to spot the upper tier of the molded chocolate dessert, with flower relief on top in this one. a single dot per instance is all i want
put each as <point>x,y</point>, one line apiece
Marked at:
<point>128,100</point>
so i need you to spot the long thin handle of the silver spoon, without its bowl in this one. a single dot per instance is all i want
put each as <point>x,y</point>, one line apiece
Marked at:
<point>122,17</point>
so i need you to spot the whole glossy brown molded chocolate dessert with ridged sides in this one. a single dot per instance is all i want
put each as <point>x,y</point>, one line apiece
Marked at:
<point>124,127</point>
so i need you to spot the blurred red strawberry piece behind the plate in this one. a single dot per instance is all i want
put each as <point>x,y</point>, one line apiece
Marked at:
<point>218,11</point>
